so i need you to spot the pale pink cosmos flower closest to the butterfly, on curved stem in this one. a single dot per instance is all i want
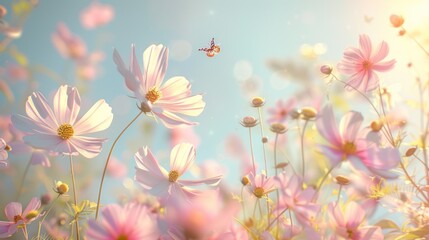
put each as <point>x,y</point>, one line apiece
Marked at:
<point>167,101</point>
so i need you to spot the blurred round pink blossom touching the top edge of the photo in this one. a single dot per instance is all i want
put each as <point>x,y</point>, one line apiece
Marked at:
<point>96,15</point>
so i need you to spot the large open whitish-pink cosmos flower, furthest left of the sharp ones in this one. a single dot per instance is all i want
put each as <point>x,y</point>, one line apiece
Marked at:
<point>58,128</point>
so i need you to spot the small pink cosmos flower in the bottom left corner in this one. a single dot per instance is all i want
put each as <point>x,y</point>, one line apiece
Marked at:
<point>18,219</point>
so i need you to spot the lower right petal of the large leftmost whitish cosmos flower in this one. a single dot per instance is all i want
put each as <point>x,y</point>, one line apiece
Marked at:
<point>86,146</point>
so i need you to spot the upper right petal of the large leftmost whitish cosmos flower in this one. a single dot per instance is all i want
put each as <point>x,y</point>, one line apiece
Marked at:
<point>98,118</point>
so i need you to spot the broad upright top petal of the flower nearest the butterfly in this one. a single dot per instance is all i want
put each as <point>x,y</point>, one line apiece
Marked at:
<point>155,59</point>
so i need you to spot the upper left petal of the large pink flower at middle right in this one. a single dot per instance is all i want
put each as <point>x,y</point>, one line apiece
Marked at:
<point>327,126</point>
